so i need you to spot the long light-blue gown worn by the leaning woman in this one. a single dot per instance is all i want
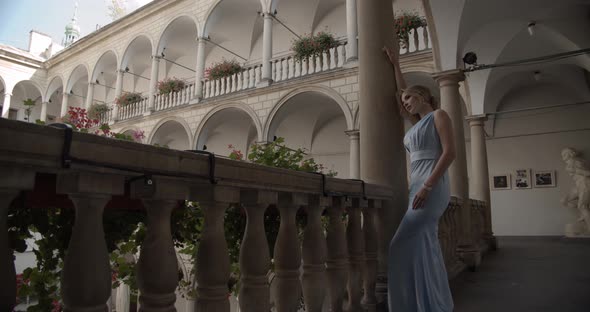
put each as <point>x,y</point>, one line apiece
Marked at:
<point>417,278</point>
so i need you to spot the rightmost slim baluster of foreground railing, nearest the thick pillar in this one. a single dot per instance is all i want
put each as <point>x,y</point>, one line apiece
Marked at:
<point>371,247</point>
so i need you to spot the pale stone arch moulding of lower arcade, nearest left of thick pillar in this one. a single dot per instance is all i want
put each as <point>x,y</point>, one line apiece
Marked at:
<point>331,93</point>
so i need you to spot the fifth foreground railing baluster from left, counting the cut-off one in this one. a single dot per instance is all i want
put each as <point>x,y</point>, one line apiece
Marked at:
<point>254,254</point>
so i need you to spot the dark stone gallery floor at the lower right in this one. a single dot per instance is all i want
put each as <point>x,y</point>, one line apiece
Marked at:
<point>528,274</point>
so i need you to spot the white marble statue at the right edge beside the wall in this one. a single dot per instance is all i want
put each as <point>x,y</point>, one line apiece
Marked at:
<point>579,196</point>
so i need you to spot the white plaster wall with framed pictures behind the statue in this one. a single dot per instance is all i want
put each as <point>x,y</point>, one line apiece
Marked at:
<point>534,140</point>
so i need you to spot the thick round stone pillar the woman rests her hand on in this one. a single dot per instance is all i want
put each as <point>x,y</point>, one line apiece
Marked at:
<point>380,121</point>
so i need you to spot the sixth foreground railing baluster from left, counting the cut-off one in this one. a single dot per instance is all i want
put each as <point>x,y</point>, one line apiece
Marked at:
<point>287,253</point>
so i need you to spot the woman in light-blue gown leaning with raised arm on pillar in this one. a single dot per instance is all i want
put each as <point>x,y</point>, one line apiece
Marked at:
<point>417,278</point>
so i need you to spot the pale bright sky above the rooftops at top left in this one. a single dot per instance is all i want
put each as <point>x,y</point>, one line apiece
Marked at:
<point>19,17</point>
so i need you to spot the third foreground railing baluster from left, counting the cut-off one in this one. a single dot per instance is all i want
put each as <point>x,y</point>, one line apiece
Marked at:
<point>157,268</point>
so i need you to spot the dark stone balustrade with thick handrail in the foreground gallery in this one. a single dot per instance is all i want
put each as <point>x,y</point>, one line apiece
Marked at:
<point>96,172</point>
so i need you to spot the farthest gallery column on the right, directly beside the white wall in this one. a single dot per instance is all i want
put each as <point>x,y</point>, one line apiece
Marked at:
<point>480,179</point>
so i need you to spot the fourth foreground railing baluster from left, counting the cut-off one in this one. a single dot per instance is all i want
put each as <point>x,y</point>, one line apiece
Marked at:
<point>213,267</point>
